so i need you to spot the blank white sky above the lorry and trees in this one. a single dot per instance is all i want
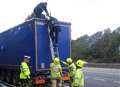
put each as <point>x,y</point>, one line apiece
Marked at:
<point>86,16</point>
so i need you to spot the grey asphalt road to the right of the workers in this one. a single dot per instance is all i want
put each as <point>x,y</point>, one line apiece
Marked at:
<point>102,77</point>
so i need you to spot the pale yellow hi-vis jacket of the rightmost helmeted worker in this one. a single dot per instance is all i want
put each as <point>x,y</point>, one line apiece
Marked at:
<point>78,79</point>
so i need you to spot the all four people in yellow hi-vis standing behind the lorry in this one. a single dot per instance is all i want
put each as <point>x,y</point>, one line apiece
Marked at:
<point>74,68</point>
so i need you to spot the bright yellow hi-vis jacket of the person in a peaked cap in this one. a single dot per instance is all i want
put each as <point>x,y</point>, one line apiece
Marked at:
<point>25,71</point>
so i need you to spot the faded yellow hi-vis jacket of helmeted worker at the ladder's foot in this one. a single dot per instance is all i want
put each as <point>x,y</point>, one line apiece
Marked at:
<point>56,70</point>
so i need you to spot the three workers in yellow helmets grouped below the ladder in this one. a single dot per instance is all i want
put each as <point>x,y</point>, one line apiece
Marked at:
<point>75,72</point>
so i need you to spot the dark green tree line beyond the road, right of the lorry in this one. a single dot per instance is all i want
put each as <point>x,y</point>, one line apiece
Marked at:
<point>101,47</point>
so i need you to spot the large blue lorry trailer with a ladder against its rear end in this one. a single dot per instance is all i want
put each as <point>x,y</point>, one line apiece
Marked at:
<point>31,38</point>
